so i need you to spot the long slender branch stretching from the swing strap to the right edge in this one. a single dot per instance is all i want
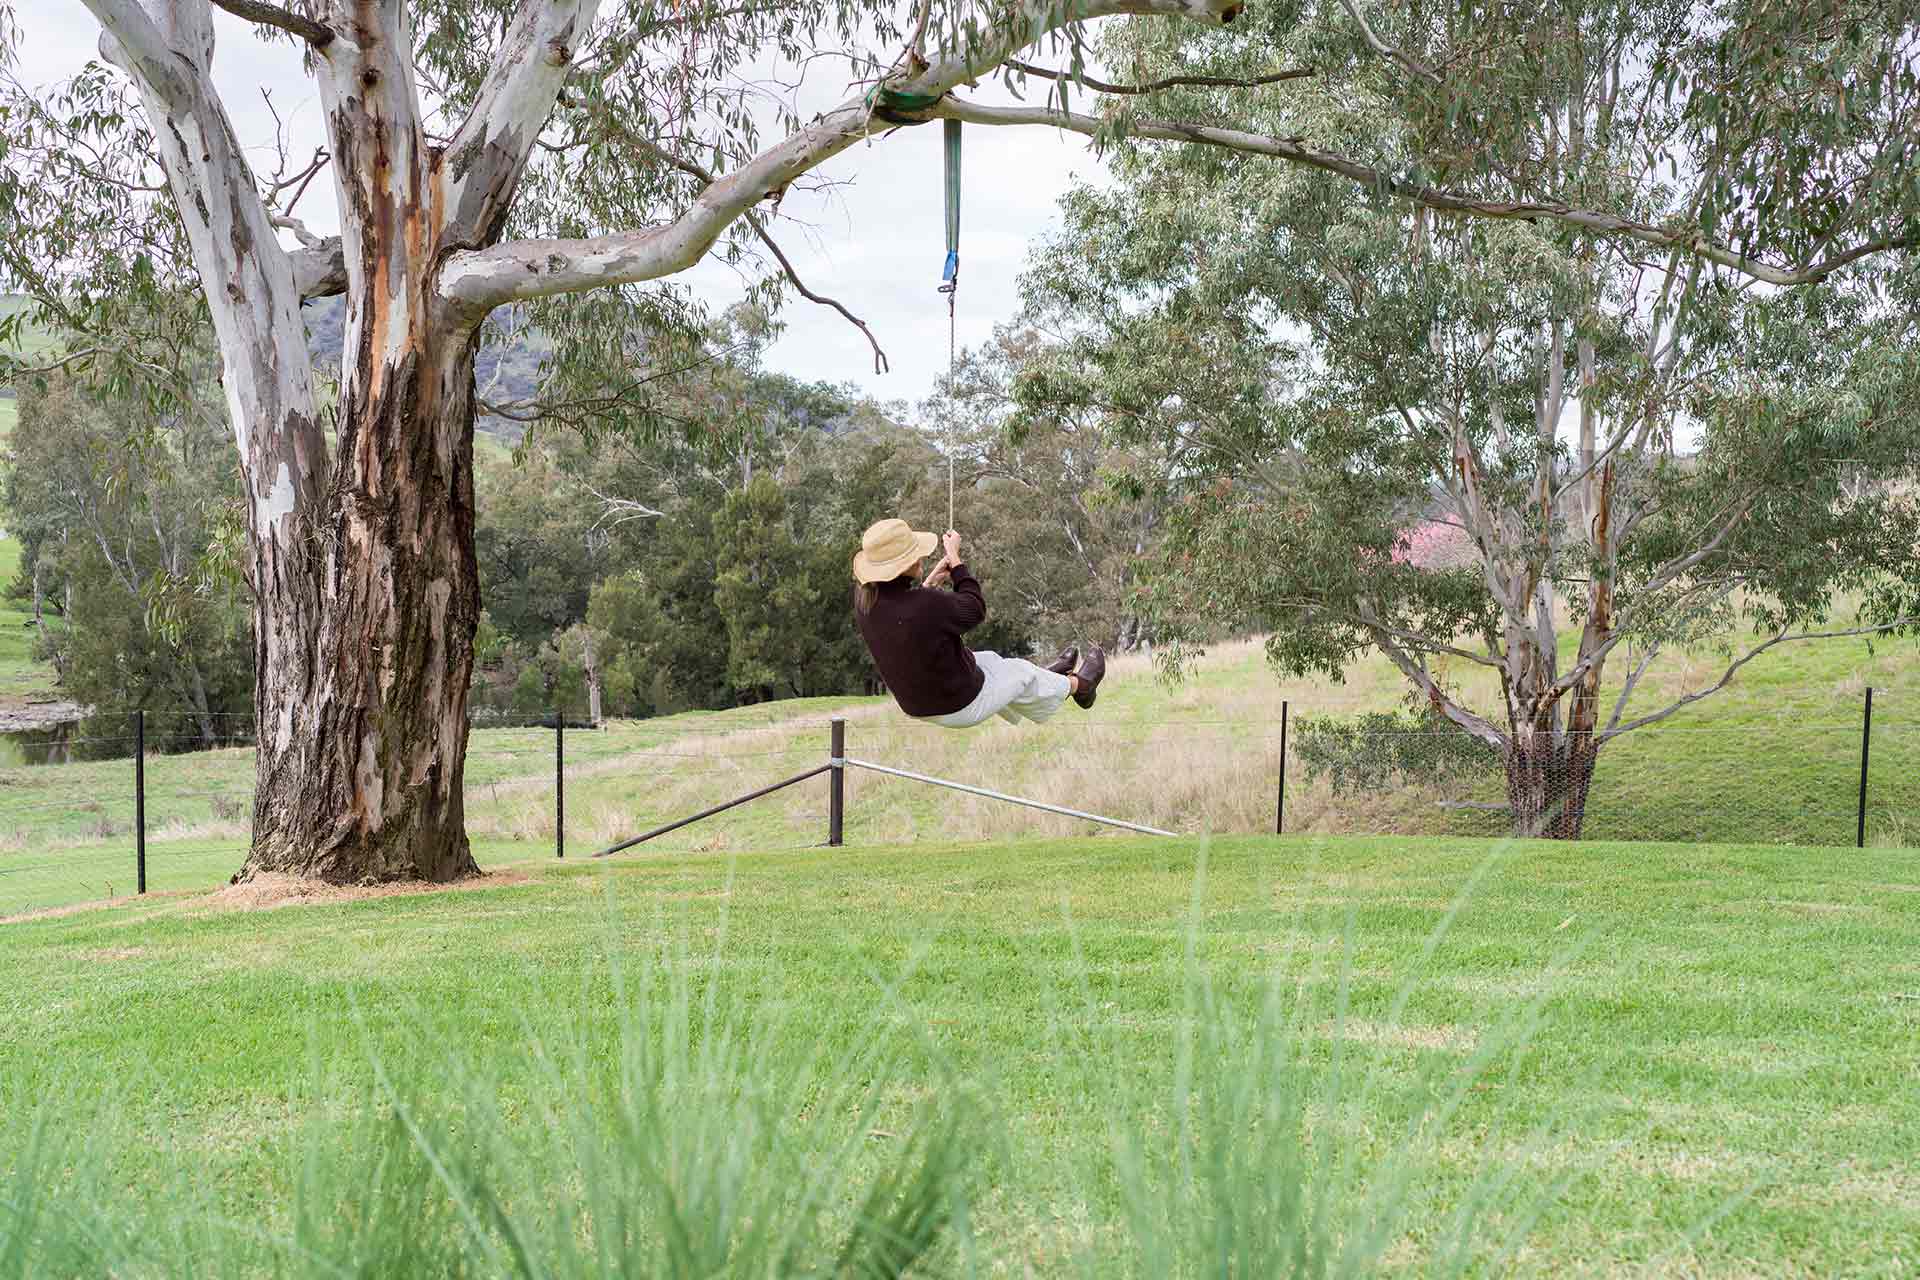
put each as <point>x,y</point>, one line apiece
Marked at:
<point>1299,153</point>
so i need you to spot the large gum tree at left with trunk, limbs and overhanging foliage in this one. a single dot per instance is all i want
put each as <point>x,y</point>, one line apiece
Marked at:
<point>496,153</point>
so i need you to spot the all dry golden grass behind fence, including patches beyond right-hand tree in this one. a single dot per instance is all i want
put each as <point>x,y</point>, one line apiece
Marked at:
<point>1197,757</point>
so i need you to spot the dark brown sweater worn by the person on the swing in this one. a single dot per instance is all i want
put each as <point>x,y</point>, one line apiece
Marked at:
<point>915,638</point>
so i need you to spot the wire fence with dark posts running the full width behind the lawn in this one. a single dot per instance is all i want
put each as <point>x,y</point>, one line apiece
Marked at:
<point>108,817</point>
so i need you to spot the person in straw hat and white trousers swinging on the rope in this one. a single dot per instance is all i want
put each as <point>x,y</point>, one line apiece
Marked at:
<point>915,634</point>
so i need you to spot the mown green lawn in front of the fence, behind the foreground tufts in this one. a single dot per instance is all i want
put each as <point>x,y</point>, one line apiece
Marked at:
<point>1719,1074</point>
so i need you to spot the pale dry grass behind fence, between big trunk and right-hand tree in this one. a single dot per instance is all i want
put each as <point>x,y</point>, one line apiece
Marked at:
<point>1193,757</point>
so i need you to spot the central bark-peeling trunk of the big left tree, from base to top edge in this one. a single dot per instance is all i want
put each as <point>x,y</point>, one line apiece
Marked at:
<point>364,730</point>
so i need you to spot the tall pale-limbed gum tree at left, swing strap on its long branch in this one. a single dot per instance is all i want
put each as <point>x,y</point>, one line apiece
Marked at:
<point>460,137</point>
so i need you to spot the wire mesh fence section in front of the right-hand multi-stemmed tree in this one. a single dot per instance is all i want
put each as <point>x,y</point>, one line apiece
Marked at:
<point>1792,776</point>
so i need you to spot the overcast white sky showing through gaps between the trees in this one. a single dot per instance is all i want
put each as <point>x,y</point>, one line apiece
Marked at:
<point>876,245</point>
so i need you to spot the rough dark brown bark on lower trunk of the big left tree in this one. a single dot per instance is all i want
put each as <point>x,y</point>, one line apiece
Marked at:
<point>364,751</point>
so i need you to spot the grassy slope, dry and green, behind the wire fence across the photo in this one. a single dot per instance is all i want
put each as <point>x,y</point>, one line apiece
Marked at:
<point>1771,761</point>
